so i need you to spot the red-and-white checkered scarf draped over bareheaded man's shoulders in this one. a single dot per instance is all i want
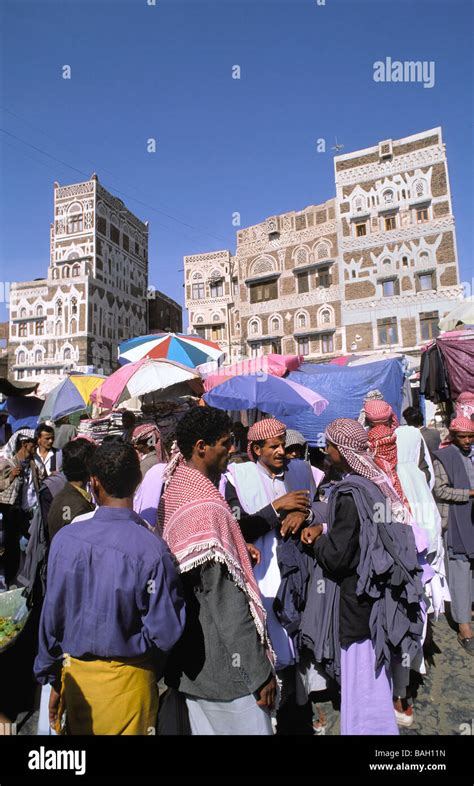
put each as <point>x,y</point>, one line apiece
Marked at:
<point>198,527</point>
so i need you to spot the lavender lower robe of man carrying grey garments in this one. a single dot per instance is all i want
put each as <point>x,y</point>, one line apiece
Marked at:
<point>366,695</point>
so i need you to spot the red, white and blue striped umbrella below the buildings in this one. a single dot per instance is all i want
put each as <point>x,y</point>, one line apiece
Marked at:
<point>188,350</point>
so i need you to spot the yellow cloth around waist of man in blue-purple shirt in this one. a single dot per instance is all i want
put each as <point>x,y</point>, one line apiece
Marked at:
<point>108,696</point>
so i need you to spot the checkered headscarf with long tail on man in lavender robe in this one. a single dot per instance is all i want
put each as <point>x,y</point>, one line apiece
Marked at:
<point>352,442</point>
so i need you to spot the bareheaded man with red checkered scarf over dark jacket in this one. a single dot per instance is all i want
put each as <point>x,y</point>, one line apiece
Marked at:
<point>222,666</point>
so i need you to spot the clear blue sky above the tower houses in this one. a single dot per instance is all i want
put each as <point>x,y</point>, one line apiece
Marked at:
<point>222,145</point>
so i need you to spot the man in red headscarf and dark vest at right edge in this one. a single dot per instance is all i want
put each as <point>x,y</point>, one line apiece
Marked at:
<point>454,492</point>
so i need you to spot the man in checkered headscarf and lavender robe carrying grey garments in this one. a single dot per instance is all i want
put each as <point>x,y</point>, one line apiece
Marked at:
<point>370,609</point>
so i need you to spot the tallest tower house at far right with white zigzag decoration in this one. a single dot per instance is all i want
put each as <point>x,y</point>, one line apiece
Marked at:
<point>397,241</point>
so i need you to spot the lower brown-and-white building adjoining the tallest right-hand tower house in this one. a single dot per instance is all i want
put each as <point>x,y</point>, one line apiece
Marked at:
<point>279,293</point>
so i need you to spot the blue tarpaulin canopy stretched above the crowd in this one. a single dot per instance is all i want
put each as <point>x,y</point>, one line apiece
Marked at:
<point>345,387</point>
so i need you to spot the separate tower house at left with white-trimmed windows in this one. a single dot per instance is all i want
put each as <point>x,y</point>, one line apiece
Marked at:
<point>94,295</point>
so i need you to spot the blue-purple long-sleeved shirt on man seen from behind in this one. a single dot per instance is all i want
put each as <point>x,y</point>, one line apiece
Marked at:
<point>113,592</point>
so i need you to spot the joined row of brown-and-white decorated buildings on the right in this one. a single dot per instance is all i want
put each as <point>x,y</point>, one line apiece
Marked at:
<point>373,269</point>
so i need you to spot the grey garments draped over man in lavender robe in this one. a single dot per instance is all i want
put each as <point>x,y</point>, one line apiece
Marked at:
<point>388,573</point>
